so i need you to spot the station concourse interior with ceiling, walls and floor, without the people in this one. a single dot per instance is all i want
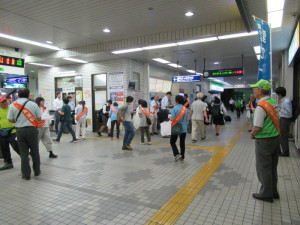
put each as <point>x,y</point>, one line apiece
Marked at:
<point>95,51</point>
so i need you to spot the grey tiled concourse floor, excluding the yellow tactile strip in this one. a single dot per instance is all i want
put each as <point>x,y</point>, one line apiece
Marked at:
<point>95,182</point>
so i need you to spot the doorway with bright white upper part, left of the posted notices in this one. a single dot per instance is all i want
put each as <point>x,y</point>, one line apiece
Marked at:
<point>99,97</point>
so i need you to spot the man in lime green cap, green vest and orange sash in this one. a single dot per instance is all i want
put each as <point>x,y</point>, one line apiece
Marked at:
<point>265,131</point>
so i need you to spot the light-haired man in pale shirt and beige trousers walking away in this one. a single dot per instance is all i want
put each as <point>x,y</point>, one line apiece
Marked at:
<point>198,115</point>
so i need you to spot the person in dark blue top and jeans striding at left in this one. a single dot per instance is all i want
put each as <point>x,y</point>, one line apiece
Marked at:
<point>66,121</point>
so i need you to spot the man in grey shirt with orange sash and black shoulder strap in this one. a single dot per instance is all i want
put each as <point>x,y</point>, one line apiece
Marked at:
<point>27,116</point>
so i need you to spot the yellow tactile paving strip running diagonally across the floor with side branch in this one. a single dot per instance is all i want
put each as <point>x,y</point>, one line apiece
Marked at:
<point>171,211</point>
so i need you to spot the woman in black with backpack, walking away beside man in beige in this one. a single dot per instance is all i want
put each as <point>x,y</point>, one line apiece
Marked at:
<point>218,112</point>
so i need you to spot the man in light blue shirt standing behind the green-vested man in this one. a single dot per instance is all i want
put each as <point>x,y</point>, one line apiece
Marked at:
<point>286,115</point>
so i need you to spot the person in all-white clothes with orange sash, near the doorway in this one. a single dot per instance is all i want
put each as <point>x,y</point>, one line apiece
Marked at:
<point>80,115</point>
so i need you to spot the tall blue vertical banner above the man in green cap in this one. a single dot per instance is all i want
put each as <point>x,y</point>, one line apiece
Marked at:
<point>264,33</point>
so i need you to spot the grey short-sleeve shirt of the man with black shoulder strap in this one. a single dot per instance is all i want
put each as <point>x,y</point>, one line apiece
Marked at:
<point>22,120</point>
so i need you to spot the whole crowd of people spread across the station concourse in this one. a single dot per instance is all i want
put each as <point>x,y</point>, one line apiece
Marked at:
<point>28,121</point>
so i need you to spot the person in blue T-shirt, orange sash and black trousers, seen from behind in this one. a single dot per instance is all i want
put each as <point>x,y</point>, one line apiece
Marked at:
<point>179,117</point>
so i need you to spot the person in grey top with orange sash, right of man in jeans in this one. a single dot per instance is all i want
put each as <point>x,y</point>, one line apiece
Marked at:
<point>144,127</point>
